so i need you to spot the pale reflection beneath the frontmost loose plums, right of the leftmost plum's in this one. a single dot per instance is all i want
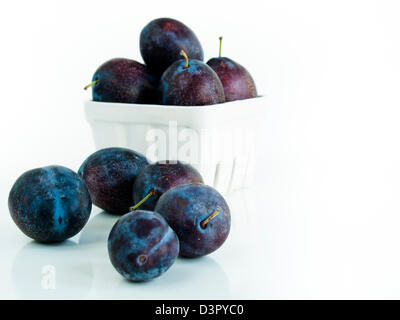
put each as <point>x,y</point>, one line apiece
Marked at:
<point>187,278</point>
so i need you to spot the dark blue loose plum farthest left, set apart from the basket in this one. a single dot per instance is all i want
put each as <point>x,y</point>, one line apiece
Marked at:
<point>50,204</point>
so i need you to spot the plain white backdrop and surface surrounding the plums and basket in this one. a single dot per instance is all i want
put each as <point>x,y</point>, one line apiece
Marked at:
<point>323,219</point>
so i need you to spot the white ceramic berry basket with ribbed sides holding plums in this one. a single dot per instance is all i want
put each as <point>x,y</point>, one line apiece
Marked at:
<point>219,140</point>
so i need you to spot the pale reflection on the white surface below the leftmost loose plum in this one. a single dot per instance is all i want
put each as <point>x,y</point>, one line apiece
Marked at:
<point>51,271</point>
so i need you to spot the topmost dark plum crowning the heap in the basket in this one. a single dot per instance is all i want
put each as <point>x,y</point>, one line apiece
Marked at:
<point>161,41</point>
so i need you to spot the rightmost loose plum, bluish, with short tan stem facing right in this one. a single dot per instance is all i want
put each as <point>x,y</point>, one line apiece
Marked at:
<point>199,215</point>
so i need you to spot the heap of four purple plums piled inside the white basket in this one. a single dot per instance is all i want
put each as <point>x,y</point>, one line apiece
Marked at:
<point>174,72</point>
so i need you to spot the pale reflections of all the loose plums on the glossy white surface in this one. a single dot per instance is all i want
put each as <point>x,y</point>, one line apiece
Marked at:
<point>82,270</point>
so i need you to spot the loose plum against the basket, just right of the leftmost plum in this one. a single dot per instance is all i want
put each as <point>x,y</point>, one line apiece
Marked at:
<point>110,174</point>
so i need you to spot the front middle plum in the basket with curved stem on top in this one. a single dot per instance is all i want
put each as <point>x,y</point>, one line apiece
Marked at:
<point>190,83</point>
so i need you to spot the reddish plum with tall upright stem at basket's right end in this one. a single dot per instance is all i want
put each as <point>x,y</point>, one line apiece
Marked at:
<point>236,80</point>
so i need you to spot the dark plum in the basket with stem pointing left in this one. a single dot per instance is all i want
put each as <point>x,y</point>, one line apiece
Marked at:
<point>124,80</point>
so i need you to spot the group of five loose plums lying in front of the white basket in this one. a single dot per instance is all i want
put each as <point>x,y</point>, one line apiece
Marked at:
<point>166,209</point>
